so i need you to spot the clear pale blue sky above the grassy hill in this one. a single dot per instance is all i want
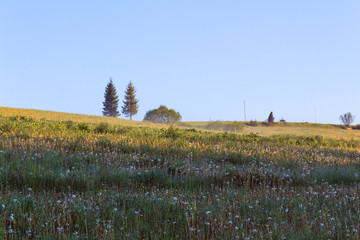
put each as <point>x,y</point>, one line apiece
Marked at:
<point>202,58</point>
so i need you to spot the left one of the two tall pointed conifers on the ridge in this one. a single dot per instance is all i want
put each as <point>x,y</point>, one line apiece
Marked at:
<point>111,102</point>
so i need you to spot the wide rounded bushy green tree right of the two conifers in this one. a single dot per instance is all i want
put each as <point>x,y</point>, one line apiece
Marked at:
<point>162,115</point>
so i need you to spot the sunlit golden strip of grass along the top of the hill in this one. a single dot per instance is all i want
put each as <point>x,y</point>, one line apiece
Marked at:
<point>296,128</point>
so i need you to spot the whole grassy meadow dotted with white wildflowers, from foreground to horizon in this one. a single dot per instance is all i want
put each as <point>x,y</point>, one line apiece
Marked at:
<point>68,176</point>
